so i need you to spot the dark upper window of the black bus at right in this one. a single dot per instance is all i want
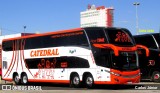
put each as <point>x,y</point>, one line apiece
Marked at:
<point>146,40</point>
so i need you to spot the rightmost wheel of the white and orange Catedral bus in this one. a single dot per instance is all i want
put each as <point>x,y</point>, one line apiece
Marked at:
<point>89,81</point>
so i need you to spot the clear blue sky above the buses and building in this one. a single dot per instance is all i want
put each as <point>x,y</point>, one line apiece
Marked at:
<point>52,15</point>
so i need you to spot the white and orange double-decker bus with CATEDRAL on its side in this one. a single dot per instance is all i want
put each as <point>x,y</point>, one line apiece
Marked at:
<point>93,55</point>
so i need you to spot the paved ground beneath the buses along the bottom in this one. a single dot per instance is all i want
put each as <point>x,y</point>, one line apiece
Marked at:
<point>142,87</point>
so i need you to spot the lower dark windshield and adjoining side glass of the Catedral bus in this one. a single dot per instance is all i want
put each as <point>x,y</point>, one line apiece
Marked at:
<point>125,60</point>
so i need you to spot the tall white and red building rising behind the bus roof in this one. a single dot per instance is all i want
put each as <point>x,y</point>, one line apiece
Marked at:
<point>97,16</point>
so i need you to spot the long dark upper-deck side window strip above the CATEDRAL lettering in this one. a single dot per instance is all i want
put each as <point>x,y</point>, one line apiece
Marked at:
<point>64,39</point>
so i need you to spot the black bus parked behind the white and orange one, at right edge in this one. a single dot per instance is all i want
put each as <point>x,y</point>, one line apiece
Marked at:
<point>149,66</point>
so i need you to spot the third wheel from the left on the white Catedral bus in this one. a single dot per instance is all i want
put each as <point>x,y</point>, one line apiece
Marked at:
<point>75,81</point>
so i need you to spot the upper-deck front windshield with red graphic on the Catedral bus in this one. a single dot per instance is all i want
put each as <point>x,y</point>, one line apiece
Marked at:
<point>119,37</point>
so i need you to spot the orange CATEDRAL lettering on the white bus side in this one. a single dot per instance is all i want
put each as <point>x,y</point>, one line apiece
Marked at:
<point>47,52</point>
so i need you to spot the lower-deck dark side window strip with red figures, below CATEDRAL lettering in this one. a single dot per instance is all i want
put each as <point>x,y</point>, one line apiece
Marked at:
<point>59,62</point>
